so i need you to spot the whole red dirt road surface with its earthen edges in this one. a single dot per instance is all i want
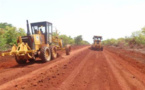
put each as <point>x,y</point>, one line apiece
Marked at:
<point>84,69</point>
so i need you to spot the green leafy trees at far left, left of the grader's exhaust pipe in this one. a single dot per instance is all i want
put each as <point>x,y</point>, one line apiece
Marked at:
<point>9,34</point>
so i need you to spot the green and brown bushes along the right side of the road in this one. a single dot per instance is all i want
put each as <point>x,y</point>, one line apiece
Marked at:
<point>136,40</point>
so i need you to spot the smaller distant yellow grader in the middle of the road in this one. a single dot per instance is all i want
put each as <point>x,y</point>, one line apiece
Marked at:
<point>97,43</point>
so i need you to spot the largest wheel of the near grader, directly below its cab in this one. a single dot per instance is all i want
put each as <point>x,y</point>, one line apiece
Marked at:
<point>45,54</point>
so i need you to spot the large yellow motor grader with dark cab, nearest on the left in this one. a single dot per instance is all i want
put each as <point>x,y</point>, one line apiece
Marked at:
<point>39,42</point>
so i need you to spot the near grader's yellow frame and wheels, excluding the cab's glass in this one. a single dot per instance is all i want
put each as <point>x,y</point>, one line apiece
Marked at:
<point>42,48</point>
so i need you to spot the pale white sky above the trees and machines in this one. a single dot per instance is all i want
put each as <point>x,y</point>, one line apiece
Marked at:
<point>107,18</point>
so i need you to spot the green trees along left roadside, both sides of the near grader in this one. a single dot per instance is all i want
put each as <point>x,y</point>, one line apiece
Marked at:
<point>9,34</point>
